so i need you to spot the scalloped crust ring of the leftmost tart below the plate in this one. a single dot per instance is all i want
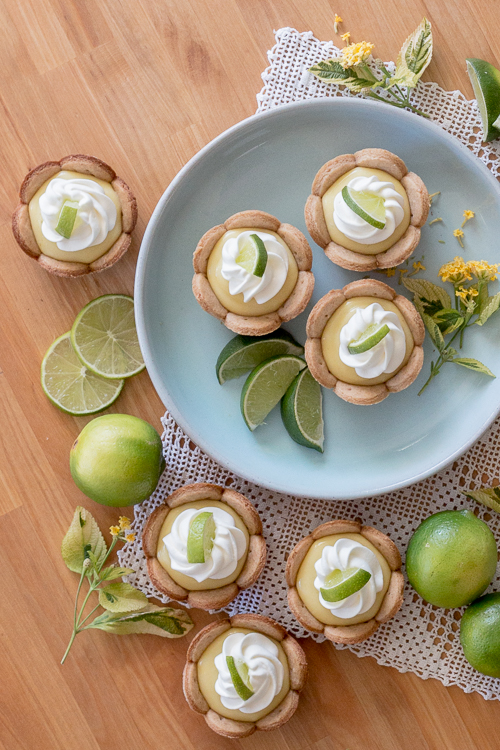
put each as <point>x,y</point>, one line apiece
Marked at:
<point>216,598</point>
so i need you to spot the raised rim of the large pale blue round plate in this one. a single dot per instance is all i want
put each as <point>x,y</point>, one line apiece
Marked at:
<point>139,297</point>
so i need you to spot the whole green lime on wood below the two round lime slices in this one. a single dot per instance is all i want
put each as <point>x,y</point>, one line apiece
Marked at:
<point>117,460</point>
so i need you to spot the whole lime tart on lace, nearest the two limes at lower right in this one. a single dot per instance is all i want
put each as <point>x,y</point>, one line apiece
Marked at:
<point>344,580</point>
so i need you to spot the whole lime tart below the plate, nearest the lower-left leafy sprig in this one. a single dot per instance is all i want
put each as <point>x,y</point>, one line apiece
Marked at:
<point>204,545</point>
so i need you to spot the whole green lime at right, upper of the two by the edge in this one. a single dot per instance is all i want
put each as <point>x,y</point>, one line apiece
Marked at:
<point>451,558</point>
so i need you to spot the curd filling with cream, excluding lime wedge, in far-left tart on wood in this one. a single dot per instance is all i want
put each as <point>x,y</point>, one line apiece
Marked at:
<point>98,223</point>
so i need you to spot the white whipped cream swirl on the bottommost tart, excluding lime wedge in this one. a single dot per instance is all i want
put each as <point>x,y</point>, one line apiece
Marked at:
<point>265,671</point>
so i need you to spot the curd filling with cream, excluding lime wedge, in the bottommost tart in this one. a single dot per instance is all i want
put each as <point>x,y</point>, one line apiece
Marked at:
<point>268,674</point>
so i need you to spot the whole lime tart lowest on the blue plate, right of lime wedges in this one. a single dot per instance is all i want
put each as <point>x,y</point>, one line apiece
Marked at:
<point>364,342</point>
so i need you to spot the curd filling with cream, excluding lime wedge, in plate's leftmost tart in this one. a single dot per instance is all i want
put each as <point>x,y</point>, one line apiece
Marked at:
<point>238,290</point>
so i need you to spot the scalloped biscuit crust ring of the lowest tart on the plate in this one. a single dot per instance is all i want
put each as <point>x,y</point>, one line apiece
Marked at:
<point>363,395</point>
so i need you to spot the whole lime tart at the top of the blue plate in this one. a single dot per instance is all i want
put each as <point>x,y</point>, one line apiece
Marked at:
<point>365,210</point>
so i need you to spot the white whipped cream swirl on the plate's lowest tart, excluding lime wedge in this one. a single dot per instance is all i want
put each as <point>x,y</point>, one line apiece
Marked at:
<point>384,357</point>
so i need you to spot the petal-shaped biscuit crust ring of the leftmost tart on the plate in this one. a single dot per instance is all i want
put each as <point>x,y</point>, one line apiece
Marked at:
<point>293,306</point>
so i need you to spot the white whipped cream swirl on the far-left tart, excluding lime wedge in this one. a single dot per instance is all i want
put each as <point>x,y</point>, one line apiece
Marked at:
<point>96,216</point>
